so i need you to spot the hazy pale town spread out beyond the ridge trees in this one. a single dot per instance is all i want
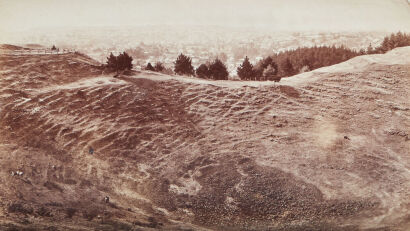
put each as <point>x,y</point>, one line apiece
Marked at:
<point>163,44</point>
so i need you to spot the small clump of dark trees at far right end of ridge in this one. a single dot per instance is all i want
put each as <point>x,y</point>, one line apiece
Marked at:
<point>389,42</point>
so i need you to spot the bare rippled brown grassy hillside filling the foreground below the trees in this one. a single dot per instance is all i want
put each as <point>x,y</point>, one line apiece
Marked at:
<point>328,151</point>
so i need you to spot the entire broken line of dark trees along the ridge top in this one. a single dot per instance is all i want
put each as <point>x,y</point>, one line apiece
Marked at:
<point>274,67</point>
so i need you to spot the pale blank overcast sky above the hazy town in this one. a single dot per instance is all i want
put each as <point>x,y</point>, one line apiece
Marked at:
<point>390,15</point>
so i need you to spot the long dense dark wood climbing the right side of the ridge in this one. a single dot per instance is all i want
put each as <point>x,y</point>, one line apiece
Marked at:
<point>288,63</point>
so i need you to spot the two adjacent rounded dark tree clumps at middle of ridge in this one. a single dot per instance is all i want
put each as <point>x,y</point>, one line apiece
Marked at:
<point>215,70</point>
